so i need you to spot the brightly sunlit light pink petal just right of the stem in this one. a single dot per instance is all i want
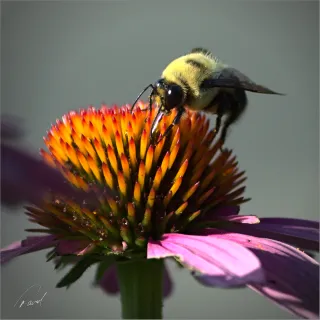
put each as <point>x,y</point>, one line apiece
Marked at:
<point>229,263</point>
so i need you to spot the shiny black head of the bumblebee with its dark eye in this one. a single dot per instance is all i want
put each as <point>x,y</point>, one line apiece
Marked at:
<point>168,95</point>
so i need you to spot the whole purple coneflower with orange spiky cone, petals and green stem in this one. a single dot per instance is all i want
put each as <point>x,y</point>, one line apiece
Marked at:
<point>179,199</point>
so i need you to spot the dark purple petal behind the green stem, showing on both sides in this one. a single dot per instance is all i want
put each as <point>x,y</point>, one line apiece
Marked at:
<point>109,282</point>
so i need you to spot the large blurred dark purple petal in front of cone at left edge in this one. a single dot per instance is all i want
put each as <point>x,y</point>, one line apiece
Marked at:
<point>24,178</point>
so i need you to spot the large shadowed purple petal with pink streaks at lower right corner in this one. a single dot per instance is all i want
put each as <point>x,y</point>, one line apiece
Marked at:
<point>292,276</point>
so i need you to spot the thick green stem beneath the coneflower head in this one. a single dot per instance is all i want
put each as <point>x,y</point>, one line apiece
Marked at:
<point>141,288</point>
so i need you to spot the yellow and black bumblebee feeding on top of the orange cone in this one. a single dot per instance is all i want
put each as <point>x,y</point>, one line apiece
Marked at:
<point>200,82</point>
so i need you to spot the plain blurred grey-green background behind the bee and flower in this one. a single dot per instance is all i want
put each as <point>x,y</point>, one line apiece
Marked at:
<point>57,56</point>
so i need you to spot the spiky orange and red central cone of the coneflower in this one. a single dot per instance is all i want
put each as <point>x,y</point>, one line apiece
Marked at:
<point>164,188</point>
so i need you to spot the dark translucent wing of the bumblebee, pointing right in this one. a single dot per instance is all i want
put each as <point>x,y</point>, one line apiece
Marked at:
<point>229,77</point>
